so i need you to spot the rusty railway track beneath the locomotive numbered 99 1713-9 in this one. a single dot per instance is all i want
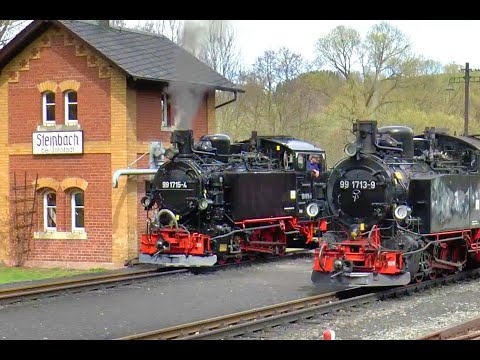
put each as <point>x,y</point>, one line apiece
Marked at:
<point>237,324</point>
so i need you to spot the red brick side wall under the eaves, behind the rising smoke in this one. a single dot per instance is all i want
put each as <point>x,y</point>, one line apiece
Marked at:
<point>149,117</point>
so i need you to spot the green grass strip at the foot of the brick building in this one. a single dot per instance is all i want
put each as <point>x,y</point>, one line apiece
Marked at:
<point>18,274</point>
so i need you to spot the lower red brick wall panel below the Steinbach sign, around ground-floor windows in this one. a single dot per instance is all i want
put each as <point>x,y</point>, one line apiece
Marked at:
<point>96,170</point>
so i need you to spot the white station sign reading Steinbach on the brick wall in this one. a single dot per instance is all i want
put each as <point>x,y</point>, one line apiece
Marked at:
<point>57,142</point>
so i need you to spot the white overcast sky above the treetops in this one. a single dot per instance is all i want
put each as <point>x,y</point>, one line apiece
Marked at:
<point>446,41</point>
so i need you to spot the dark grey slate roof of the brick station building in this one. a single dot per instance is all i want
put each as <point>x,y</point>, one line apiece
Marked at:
<point>141,55</point>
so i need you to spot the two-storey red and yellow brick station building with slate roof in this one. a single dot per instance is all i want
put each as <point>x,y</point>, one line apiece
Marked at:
<point>79,100</point>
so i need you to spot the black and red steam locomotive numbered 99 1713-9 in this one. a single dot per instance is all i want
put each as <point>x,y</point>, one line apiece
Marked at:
<point>404,208</point>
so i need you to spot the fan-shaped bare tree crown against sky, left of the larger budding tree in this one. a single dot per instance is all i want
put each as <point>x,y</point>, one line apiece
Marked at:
<point>337,49</point>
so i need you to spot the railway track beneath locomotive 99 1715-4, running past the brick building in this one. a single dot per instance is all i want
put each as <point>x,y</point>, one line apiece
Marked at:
<point>14,294</point>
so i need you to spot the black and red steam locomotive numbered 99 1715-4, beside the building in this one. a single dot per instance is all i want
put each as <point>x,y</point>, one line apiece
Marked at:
<point>216,201</point>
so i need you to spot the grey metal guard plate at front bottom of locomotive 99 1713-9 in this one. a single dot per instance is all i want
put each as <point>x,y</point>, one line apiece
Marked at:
<point>360,279</point>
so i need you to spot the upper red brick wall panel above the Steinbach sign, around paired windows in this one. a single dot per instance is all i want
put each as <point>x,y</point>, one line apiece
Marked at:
<point>59,63</point>
